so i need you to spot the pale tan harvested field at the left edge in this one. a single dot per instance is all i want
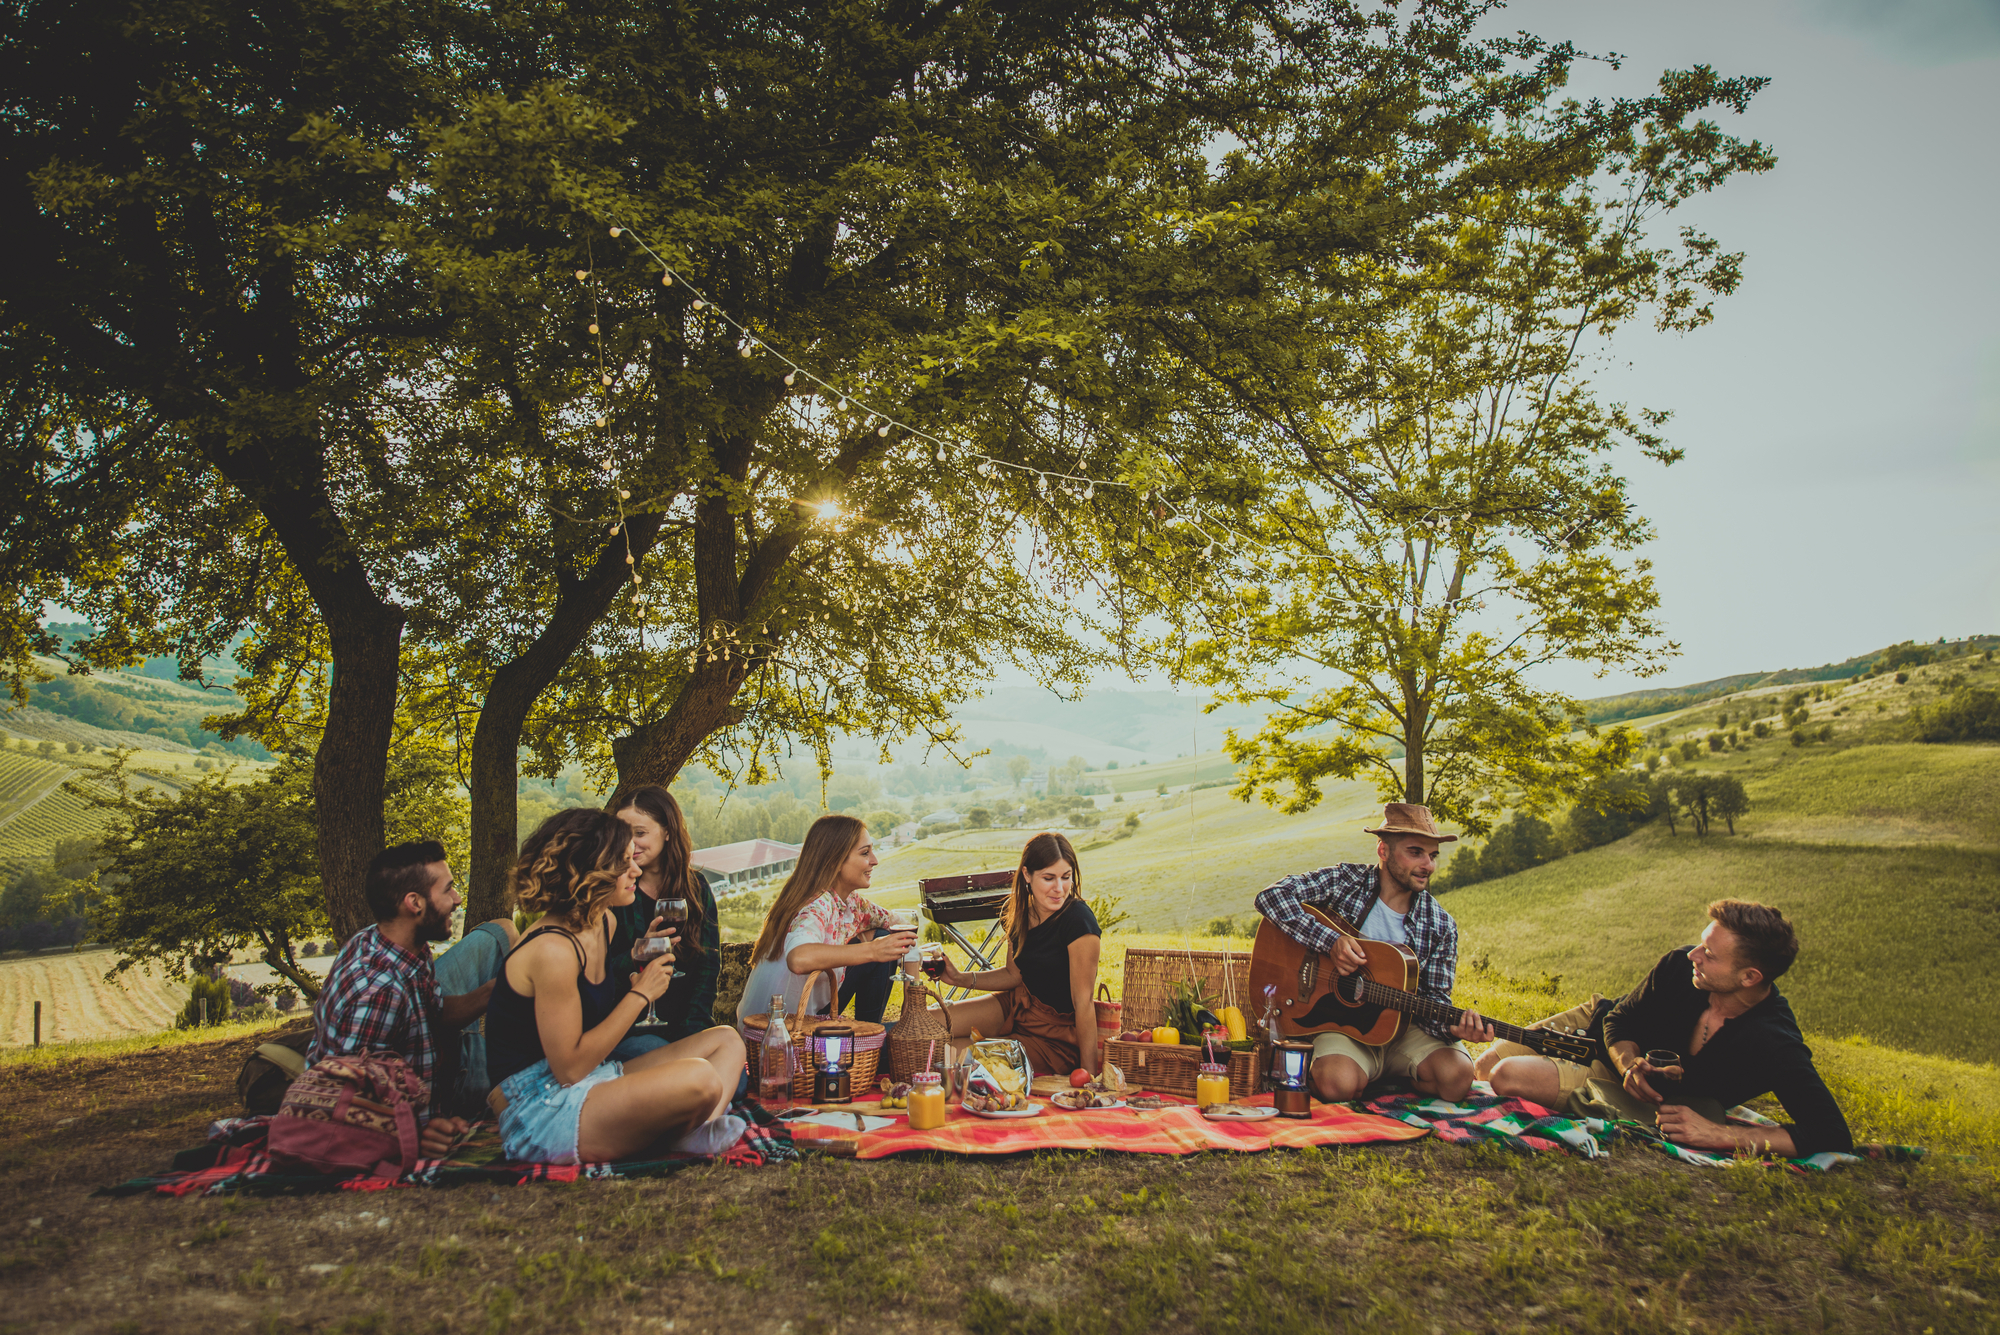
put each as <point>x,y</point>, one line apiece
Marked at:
<point>79,1004</point>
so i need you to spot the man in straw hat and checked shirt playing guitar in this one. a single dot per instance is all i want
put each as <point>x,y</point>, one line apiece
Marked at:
<point>1389,902</point>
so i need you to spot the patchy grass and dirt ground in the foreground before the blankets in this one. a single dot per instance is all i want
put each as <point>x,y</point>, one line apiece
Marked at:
<point>1415,1238</point>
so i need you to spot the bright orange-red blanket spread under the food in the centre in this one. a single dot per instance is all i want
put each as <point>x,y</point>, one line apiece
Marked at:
<point>1175,1130</point>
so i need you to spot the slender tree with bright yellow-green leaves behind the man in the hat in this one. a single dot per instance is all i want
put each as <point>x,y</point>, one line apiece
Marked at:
<point>1447,523</point>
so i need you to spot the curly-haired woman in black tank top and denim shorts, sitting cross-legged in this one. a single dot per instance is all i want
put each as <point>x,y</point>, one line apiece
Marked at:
<point>557,1014</point>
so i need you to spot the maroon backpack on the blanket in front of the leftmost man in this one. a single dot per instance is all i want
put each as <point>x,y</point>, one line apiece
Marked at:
<point>351,1116</point>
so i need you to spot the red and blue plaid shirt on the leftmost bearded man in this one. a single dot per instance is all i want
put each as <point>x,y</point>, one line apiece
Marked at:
<point>381,998</point>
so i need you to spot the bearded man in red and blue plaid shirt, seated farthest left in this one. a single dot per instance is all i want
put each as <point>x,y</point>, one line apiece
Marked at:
<point>383,992</point>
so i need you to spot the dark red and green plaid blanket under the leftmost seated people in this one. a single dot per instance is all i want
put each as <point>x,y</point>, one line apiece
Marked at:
<point>235,1160</point>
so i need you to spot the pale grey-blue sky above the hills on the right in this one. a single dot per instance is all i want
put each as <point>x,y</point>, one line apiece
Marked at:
<point>1841,417</point>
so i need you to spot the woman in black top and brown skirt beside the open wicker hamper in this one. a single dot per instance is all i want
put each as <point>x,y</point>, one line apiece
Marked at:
<point>1043,994</point>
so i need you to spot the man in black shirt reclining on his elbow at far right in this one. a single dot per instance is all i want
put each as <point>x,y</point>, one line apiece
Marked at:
<point>1719,1010</point>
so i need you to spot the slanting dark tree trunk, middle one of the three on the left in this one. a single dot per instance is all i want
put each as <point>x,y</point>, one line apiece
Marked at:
<point>505,712</point>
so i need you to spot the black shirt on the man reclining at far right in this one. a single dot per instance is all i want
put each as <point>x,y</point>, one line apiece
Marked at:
<point>1753,1054</point>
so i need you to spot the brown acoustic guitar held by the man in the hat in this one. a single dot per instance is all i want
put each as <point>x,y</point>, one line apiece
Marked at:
<point>1369,1004</point>
